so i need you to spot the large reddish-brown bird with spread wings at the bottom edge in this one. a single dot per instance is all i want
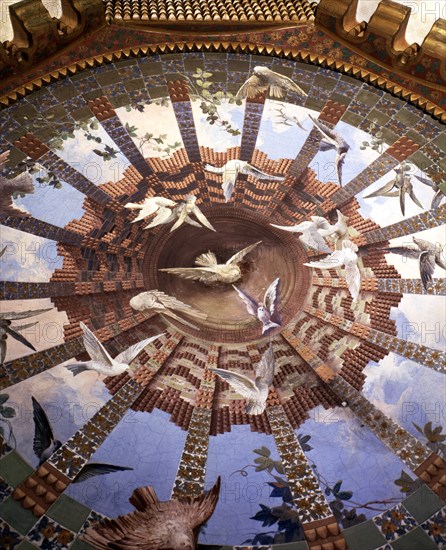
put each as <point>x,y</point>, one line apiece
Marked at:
<point>156,525</point>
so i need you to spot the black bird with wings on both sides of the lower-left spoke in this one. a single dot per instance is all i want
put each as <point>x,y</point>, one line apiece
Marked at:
<point>45,444</point>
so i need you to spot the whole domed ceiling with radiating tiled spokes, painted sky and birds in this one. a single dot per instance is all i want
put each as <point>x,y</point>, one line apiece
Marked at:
<point>349,434</point>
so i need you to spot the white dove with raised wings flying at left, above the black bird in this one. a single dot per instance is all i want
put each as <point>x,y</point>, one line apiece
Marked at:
<point>100,359</point>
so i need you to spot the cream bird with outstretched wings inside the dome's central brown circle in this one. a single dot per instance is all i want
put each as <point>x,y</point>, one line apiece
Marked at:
<point>210,271</point>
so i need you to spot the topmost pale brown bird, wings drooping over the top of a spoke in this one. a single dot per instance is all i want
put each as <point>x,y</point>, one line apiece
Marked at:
<point>265,80</point>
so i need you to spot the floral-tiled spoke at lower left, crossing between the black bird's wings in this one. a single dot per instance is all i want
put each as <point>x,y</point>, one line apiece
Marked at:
<point>42,488</point>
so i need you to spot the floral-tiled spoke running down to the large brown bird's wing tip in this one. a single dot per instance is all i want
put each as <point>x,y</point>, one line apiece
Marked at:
<point>191,473</point>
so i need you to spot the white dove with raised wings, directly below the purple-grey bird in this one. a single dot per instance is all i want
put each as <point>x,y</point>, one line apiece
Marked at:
<point>254,391</point>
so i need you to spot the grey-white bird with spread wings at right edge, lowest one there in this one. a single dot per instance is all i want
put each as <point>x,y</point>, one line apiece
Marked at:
<point>428,255</point>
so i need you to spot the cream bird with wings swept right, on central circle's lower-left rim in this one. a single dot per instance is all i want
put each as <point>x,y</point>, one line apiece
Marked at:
<point>155,300</point>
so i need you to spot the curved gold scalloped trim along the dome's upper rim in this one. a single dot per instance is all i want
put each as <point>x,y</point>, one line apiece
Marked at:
<point>343,67</point>
